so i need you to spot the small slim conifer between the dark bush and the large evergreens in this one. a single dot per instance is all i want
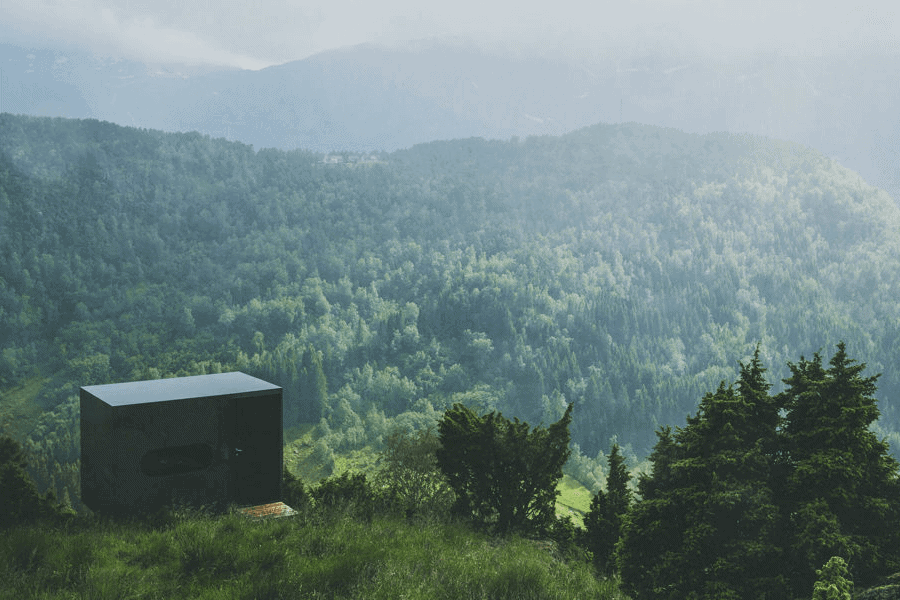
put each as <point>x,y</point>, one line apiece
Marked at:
<point>603,522</point>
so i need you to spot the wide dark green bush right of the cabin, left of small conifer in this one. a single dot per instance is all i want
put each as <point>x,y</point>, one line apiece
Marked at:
<point>504,473</point>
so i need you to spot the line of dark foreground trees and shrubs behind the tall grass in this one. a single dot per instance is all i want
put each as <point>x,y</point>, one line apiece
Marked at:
<point>756,496</point>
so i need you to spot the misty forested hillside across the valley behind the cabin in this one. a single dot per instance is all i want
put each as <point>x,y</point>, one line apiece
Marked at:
<point>623,268</point>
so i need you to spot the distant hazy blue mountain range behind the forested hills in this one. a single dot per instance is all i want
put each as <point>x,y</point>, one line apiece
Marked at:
<point>368,97</point>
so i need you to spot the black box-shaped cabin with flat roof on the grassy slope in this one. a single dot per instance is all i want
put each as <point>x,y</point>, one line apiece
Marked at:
<point>208,440</point>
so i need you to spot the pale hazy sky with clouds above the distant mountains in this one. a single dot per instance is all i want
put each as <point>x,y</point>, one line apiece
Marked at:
<point>257,33</point>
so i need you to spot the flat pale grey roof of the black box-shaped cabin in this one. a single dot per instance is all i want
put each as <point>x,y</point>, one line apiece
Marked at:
<point>235,384</point>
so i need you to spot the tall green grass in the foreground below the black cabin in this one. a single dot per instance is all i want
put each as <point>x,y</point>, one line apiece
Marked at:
<point>232,557</point>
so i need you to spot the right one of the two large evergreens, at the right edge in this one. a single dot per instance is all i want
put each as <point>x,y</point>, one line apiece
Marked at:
<point>842,490</point>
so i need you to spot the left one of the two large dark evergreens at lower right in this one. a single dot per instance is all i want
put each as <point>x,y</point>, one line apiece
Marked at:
<point>707,523</point>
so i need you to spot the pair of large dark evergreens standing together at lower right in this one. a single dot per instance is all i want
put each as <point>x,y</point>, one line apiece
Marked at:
<point>743,502</point>
